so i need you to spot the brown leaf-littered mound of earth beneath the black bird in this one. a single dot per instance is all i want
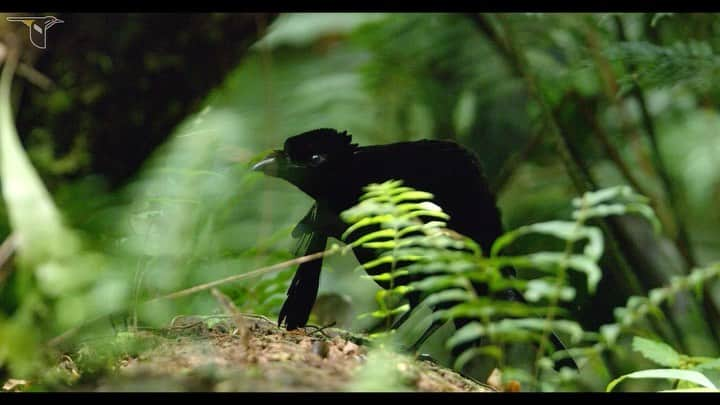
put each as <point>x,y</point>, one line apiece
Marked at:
<point>250,353</point>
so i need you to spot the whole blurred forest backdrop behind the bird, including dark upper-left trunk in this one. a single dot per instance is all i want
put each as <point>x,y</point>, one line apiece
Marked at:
<point>143,131</point>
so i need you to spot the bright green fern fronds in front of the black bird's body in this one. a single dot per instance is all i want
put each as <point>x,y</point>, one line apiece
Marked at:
<point>409,234</point>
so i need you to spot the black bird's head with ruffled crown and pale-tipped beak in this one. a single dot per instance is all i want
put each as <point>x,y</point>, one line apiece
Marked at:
<point>310,159</point>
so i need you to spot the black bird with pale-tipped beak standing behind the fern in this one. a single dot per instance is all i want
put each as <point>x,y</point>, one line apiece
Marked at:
<point>327,166</point>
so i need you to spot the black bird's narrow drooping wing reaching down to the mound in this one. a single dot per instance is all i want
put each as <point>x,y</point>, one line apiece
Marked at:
<point>304,287</point>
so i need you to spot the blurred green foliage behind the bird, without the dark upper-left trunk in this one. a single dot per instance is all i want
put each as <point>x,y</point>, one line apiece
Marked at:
<point>196,214</point>
